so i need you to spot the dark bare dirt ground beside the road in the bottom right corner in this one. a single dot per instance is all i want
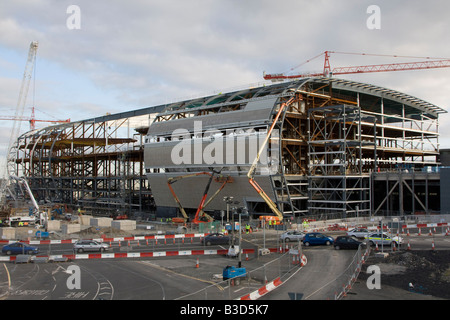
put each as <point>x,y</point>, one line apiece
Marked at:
<point>428,271</point>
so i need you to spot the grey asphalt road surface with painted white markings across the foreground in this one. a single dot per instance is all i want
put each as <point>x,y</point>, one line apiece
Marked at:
<point>175,277</point>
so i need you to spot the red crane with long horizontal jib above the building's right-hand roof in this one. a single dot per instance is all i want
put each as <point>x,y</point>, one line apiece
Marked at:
<point>431,63</point>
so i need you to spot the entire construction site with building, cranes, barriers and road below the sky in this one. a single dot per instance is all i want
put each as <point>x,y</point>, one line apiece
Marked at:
<point>297,154</point>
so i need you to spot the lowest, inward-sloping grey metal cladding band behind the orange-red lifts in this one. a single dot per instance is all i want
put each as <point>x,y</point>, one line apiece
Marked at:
<point>190,190</point>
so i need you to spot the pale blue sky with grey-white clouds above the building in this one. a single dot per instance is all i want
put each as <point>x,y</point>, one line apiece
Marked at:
<point>111,56</point>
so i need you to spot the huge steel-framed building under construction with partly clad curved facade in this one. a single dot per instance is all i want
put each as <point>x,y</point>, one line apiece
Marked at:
<point>313,146</point>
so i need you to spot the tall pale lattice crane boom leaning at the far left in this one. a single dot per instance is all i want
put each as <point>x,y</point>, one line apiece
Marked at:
<point>9,168</point>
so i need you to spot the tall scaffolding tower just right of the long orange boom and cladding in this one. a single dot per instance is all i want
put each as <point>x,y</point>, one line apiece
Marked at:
<point>337,182</point>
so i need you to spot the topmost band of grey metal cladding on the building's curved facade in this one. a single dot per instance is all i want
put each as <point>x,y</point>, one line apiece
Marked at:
<point>255,113</point>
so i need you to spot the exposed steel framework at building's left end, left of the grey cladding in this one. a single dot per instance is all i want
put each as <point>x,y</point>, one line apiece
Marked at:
<point>87,165</point>
